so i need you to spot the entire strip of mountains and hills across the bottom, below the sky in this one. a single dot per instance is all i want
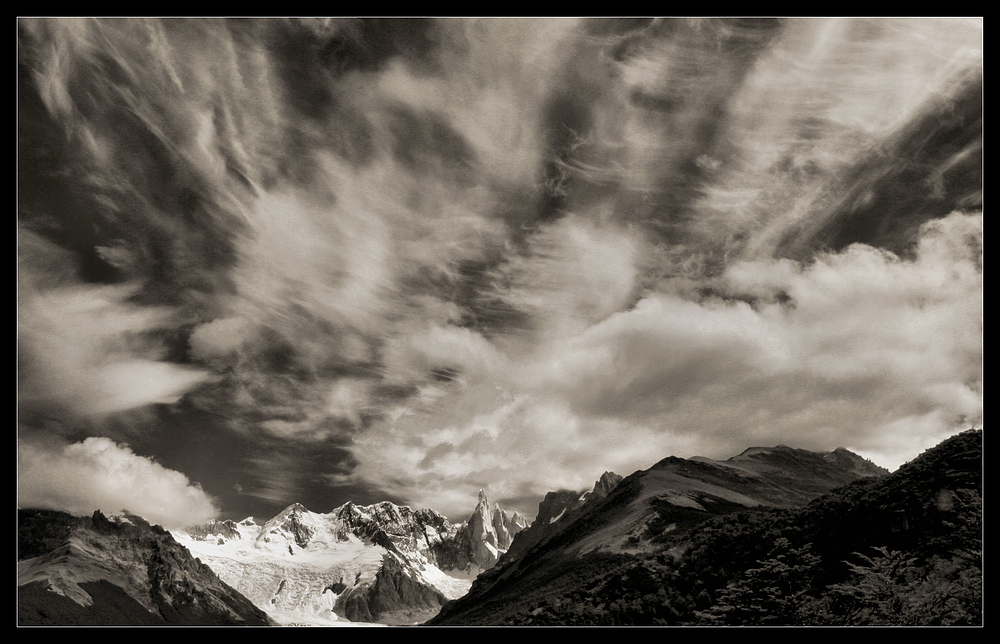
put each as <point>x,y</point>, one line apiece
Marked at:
<point>667,545</point>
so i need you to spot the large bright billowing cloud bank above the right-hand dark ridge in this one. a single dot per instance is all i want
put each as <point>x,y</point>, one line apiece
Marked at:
<point>871,352</point>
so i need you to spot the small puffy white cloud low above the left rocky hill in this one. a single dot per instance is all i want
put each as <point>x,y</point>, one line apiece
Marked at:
<point>100,474</point>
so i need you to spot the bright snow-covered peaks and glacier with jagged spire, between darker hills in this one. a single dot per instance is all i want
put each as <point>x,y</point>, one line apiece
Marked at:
<point>380,562</point>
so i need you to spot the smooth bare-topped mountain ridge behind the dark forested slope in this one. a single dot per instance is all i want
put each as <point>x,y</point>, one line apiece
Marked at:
<point>639,518</point>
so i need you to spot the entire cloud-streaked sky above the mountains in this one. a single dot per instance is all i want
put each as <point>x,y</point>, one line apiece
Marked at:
<point>267,261</point>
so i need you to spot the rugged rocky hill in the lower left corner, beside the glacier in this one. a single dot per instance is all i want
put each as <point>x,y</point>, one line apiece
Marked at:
<point>117,571</point>
